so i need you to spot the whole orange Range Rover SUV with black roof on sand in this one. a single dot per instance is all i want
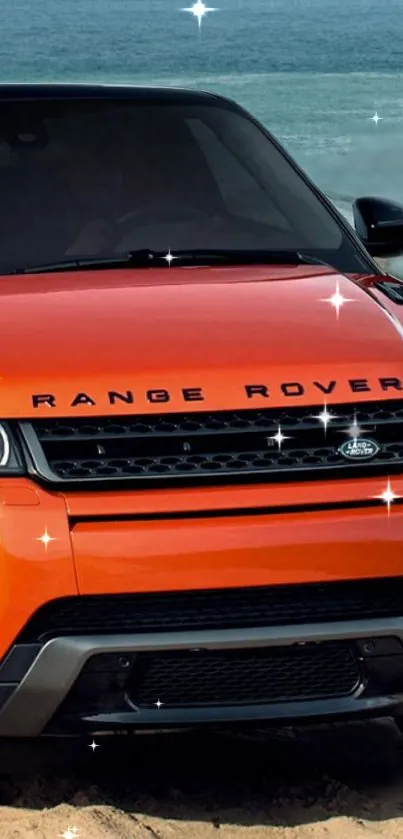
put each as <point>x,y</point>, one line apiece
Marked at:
<point>201,438</point>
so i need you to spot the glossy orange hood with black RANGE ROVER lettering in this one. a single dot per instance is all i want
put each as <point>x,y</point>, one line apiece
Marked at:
<point>187,339</point>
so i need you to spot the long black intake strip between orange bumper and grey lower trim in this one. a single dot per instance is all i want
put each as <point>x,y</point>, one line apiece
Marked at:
<point>217,608</point>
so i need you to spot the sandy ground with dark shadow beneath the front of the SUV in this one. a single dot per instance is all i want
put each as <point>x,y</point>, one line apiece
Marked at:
<point>329,781</point>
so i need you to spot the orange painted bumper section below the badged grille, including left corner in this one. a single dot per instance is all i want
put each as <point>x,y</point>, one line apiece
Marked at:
<point>166,555</point>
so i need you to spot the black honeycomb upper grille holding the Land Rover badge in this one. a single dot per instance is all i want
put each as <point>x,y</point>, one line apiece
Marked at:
<point>219,445</point>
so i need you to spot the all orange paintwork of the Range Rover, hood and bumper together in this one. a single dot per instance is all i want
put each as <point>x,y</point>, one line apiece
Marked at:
<point>216,329</point>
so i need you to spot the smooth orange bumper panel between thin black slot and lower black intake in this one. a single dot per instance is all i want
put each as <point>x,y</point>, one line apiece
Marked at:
<point>237,551</point>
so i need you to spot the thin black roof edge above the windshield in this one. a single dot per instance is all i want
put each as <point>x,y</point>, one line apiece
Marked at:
<point>30,91</point>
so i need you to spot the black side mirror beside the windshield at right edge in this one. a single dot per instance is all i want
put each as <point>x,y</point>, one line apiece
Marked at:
<point>379,225</point>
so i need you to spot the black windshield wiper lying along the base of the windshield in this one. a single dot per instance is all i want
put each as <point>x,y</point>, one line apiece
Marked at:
<point>144,258</point>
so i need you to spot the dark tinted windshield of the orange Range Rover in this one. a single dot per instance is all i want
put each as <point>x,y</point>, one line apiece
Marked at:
<point>83,178</point>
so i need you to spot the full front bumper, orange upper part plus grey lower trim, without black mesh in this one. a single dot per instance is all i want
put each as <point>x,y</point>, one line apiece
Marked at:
<point>77,545</point>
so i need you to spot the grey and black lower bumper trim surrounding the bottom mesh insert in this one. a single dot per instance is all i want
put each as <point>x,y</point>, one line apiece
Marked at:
<point>34,706</point>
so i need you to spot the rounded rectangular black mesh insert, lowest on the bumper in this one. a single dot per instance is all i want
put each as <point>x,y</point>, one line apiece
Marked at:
<point>244,676</point>
